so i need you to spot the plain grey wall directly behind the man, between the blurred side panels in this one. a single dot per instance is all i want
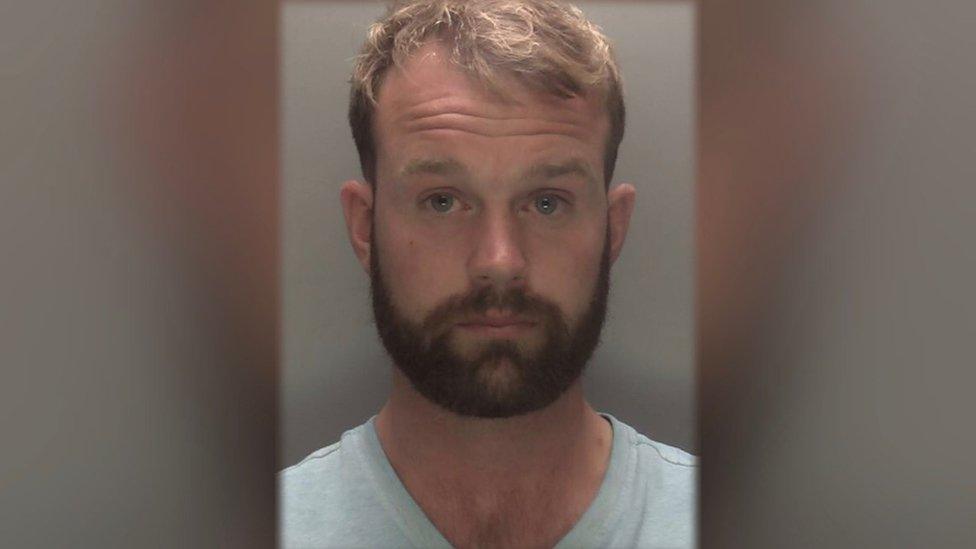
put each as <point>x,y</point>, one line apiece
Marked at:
<point>335,373</point>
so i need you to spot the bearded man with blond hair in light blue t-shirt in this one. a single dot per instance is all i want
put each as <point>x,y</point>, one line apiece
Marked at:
<point>487,132</point>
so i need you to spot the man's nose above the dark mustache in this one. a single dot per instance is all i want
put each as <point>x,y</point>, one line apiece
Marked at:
<point>498,258</point>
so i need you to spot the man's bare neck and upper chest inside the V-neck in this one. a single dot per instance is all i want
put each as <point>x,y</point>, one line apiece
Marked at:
<point>522,481</point>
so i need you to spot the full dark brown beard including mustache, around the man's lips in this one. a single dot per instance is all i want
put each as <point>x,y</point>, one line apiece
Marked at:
<point>501,379</point>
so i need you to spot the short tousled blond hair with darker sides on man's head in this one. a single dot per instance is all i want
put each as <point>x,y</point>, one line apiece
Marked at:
<point>546,45</point>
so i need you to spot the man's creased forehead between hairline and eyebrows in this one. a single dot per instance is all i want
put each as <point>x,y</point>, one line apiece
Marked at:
<point>428,108</point>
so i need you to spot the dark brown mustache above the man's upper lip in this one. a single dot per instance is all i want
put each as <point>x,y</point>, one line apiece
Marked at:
<point>478,302</point>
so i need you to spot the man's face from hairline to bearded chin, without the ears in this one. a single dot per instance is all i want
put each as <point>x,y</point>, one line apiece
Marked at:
<point>490,244</point>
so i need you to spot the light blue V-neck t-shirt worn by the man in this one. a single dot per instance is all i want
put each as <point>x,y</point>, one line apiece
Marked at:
<point>348,495</point>
